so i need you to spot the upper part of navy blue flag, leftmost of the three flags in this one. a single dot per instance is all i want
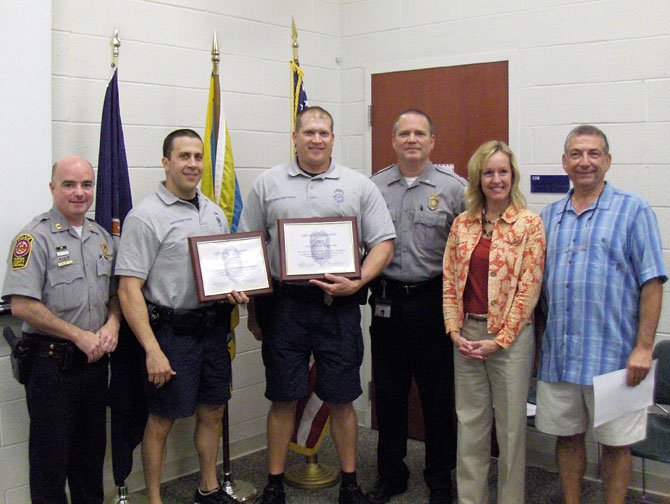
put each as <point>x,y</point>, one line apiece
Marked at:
<point>113,199</point>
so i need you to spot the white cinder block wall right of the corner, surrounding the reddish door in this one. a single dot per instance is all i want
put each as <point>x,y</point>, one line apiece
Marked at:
<point>571,61</point>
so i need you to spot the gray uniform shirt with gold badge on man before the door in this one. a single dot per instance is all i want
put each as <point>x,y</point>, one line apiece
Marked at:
<point>422,214</point>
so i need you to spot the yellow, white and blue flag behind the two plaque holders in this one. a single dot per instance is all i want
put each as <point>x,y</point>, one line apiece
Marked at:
<point>219,182</point>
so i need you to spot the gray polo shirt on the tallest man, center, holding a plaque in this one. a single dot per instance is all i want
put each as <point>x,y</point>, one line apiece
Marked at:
<point>285,192</point>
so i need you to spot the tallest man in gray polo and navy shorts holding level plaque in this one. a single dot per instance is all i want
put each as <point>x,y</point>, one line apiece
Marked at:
<point>322,213</point>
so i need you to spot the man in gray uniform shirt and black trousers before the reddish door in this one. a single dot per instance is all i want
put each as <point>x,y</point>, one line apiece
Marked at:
<point>407,332</point>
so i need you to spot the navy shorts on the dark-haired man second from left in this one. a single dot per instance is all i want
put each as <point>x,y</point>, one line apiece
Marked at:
<point>202,364</point>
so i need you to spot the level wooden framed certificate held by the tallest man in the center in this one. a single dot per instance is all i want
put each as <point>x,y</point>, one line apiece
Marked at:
<point>311,247</point>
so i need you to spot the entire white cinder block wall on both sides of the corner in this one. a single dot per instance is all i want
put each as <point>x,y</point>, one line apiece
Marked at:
<point>601,61</point>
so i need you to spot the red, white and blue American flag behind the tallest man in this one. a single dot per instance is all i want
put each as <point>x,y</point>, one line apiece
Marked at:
<point>311,415</point>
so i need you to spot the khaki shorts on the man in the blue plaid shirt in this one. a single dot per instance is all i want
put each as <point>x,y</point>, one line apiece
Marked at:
<point>566,409</point>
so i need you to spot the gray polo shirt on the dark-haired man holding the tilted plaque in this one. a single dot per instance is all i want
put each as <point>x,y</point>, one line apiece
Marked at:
<point>154,245</point>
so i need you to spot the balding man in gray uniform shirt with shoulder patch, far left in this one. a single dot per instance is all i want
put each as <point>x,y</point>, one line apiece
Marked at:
<point>59,282</point>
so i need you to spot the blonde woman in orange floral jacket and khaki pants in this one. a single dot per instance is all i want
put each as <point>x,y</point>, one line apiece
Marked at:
<point>493,266</point>
